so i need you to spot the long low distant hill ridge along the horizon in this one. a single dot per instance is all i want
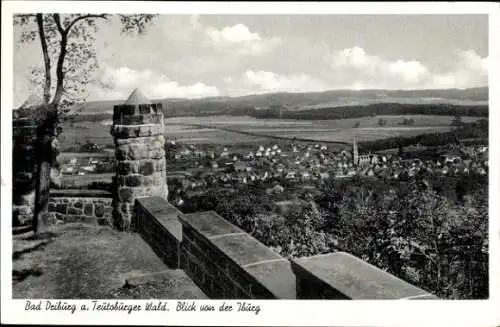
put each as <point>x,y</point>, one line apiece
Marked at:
<point>301,101</point>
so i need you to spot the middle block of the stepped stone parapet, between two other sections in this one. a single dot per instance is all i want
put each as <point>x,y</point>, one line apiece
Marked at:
<point>227,263</point>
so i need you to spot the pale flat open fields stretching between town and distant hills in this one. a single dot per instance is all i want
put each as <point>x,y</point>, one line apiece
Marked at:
<point>208,129</point>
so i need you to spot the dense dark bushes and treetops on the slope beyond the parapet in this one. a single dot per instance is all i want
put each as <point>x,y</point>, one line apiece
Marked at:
<point>414,231</point>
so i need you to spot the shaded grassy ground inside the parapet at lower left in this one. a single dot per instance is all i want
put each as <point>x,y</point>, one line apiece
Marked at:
<point>77,261</point>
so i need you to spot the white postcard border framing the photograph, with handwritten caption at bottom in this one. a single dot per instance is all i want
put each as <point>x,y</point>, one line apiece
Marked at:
<point>273,313</point>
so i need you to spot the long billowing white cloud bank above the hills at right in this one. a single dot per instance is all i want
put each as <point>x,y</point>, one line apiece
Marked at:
<point>353,68</point>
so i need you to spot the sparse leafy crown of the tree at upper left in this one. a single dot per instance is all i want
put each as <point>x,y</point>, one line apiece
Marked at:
<point>69,55</point>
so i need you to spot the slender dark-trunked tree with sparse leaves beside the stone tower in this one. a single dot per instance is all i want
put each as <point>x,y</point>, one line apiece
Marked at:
<point>69,61</point>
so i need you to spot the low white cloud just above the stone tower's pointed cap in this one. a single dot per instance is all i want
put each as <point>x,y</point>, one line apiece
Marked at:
<point>118,83</point>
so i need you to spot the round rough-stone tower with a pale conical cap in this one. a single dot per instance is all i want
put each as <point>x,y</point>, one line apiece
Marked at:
<point>140,156</point>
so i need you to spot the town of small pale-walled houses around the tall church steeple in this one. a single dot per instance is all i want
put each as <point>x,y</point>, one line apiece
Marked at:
<point>276,164</point>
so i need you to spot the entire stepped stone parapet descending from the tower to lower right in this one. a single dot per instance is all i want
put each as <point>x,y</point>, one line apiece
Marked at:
<point>228,263</point>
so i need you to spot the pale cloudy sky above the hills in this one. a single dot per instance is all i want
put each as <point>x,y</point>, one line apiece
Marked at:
<point>195,56</point>
